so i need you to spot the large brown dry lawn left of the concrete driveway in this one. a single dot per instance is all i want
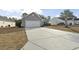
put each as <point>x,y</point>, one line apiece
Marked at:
<point>12,38</point>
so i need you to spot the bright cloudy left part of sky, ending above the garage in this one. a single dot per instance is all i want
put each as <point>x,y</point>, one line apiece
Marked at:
<point>18,12</point>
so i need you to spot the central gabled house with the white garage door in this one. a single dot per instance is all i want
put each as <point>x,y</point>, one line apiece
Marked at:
<point>32,20</point>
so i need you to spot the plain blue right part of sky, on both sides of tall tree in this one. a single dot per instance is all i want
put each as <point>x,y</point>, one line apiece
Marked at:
<point>56,12</point>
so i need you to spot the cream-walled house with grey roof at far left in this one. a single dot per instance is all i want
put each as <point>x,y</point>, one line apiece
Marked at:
<point>6,22</point>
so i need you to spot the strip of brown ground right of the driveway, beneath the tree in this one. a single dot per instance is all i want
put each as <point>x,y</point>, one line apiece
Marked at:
<point>62,27</point>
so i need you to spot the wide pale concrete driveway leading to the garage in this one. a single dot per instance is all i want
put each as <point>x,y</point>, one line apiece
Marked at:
<point>50,39</point>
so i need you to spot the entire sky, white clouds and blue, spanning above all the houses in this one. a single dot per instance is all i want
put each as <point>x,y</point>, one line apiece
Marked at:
<point>45,12</point>
